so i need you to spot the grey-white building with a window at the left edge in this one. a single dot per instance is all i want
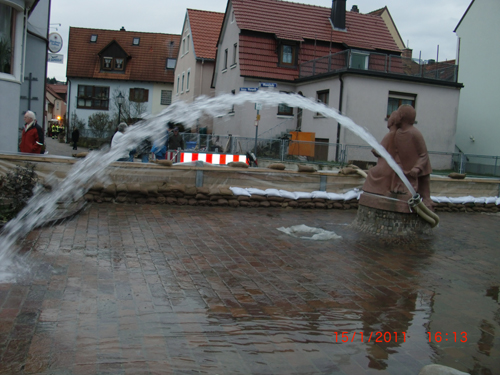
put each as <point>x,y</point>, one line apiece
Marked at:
<point>23,62</point>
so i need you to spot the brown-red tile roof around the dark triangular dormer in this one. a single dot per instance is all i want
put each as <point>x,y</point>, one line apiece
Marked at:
<point>147,62</point>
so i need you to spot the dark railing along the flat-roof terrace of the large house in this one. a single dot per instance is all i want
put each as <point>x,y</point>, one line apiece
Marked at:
<point>378,62</point>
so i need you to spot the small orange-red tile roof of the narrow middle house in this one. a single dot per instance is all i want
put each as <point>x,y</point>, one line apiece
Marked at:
<point>205,30</point>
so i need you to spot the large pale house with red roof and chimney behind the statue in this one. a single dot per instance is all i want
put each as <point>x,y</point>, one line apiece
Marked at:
<point>348,60</point>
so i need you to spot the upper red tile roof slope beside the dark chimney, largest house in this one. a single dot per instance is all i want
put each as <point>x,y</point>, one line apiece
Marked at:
<point>312,22</point>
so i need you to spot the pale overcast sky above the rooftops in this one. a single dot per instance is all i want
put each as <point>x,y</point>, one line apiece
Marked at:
<point>422,24</point>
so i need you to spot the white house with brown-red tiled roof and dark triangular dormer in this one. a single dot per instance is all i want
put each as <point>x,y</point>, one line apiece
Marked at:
<point>104,63</point>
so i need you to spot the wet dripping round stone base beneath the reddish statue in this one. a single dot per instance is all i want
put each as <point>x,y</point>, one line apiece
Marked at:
<point>389,223</point>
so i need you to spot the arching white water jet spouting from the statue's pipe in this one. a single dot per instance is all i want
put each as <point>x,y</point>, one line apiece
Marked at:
<point>92,168</point>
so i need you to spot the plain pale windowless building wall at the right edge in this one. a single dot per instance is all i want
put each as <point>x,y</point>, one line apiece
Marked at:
<point>478,127</point>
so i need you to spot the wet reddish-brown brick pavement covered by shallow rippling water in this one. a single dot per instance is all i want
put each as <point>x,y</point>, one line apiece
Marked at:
<point>129,289</point>
